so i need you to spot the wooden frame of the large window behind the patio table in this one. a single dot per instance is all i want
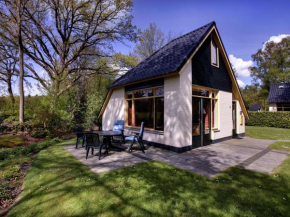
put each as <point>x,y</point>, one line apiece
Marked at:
<point>133,98</point>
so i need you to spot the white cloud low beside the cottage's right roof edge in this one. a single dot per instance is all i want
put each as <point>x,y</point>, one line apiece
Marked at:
<point>241,66</point>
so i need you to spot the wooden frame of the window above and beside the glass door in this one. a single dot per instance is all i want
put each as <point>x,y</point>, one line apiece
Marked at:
<point>213,100</point>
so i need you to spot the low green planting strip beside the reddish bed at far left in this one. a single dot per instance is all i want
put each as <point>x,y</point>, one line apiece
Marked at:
<point>28,150</point>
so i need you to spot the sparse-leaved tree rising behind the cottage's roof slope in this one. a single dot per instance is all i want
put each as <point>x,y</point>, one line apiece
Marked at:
<point>151,40</point>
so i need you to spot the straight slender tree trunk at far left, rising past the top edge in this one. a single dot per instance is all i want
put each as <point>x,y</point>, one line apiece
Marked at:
<point>21,68</point>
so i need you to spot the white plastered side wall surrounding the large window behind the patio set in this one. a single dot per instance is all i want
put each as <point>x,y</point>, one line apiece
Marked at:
<point>177,111</point>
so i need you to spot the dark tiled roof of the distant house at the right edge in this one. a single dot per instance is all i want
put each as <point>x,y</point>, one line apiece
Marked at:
<point>279,93</point>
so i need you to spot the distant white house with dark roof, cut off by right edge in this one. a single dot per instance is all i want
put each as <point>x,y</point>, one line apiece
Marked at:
<point>279,97</point>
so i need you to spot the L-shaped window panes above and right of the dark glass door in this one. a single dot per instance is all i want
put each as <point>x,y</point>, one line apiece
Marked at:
<point>213,95</point>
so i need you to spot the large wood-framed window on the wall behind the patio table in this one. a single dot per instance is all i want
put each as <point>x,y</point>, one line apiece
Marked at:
<point>146,106</point>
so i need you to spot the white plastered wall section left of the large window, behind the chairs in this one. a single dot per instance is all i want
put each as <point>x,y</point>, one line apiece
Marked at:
<point>114,110</point>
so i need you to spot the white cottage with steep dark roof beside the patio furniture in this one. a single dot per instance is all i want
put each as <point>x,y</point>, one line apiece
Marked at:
<point>186,93</point>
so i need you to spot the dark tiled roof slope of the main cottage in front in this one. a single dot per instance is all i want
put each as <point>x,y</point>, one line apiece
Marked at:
<point>168,59</point>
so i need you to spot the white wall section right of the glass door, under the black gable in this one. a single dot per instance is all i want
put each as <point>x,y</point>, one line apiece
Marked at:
<point>225,124</point>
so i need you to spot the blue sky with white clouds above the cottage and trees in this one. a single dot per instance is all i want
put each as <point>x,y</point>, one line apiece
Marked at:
<point>243,25</point>
